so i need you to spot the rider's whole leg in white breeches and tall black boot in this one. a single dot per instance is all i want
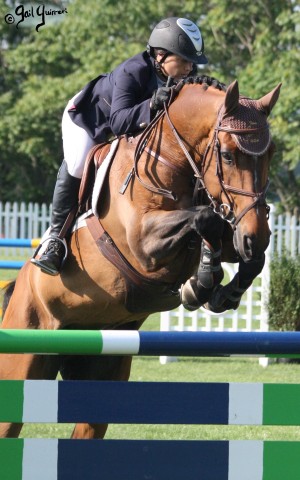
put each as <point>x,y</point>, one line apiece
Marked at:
<point>76,144</point>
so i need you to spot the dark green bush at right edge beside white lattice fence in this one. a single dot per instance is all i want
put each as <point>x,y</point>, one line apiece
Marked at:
<point>284,300</point>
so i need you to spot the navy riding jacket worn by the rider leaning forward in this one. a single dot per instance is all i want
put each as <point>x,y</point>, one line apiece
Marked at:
<point>118,102</point>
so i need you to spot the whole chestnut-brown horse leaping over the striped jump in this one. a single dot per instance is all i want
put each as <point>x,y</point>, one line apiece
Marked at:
<point>183,195</point>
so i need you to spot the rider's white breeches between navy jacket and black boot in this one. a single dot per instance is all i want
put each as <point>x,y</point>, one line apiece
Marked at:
<point>76,143</point>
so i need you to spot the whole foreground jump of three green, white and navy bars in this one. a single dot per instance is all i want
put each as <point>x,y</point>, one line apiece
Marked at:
<point>152,403</point>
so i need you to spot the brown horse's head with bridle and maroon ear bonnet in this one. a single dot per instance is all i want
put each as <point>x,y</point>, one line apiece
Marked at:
<point>242,149</point>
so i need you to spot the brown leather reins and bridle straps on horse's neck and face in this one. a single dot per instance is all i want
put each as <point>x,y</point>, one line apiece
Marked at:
<point>225,210</point>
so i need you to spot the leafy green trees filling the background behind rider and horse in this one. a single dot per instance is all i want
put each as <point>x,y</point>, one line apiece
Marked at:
<point>255,42</point>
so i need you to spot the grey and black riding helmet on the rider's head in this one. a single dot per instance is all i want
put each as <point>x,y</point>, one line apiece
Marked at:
<point>179,36</point>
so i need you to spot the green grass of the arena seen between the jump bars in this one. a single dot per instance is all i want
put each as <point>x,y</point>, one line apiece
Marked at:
<point>188,369</point>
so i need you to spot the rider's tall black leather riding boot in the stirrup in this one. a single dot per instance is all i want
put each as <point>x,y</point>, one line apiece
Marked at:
<point>65,199</point>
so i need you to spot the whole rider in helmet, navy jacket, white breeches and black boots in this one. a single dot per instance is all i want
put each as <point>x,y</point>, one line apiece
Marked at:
<point>123,101</point>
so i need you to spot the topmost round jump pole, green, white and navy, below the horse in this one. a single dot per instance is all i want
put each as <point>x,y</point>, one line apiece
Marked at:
<point>125,342</point>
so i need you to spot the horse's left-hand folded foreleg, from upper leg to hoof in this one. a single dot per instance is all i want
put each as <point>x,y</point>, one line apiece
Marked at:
<point>165,234</point>
